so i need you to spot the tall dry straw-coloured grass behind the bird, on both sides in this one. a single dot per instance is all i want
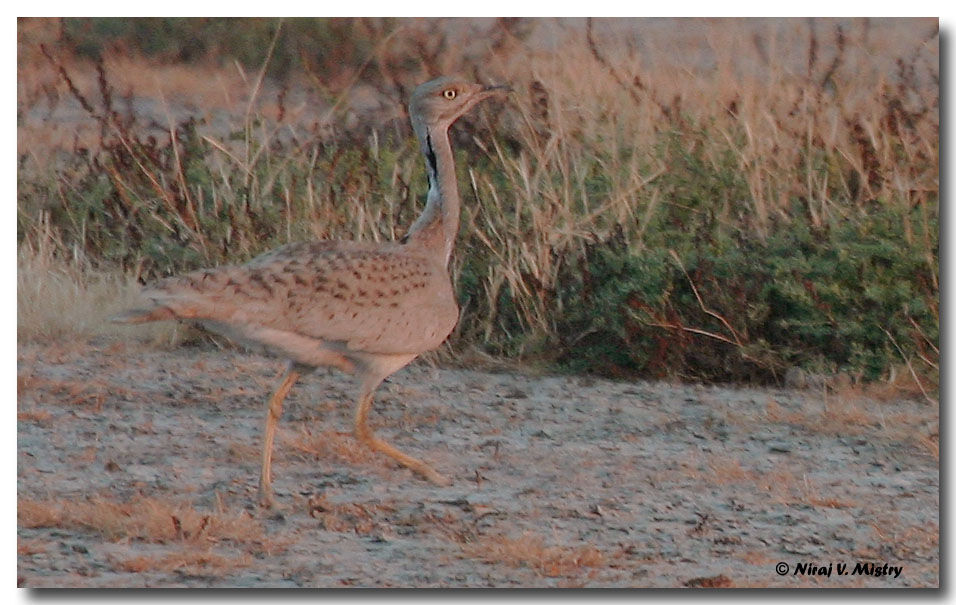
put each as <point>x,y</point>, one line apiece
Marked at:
<point>821,119</point>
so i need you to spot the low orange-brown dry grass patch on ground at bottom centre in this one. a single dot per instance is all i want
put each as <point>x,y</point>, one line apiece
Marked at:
<point>530,551</point>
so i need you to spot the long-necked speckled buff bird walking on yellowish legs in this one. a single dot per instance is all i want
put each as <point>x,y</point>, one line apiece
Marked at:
<point>365,308</point>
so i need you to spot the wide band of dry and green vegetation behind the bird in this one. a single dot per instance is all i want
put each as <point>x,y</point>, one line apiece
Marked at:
<point>668,176</point>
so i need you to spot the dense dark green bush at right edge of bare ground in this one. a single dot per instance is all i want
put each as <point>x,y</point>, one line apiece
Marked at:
<point>829,299</point>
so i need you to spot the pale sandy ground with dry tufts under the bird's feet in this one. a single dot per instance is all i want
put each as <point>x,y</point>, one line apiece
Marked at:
<point>138,467</point>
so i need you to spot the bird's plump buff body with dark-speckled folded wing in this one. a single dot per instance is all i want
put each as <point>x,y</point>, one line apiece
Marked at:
<point>372,298</point>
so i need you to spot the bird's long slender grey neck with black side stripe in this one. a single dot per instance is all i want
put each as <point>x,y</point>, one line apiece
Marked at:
<point>437,226</point>
